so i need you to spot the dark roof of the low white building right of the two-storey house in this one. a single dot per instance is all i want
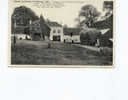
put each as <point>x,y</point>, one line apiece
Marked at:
<point>74,31</point>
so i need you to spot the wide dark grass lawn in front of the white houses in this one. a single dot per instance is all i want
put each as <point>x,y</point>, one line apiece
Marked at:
<point>38,53</point>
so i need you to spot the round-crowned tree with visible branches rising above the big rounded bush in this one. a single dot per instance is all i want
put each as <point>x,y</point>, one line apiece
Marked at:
<point>90,13</point>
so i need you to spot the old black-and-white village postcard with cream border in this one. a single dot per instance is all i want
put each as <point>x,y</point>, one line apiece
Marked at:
<point>61,33</point>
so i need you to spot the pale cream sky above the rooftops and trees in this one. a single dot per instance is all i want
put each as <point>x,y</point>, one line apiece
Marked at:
<point>66,13</point>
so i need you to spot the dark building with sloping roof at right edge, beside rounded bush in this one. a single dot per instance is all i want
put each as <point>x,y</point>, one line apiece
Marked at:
<point>106,28</point>
